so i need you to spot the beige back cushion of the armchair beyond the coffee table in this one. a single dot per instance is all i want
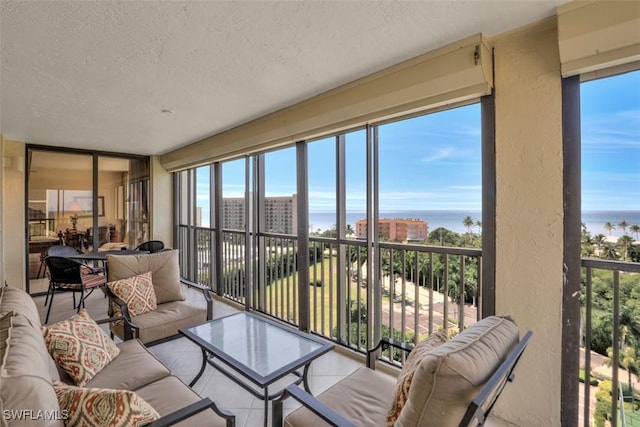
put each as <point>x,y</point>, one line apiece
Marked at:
<point>164,268</point>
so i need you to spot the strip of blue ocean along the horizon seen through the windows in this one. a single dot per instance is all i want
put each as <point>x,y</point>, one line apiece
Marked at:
<point>452,219</point>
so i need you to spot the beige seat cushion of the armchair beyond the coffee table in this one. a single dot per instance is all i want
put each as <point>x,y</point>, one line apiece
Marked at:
<point>164,321</point>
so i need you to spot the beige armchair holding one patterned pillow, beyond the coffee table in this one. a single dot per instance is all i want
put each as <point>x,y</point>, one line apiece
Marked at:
<point>153,312</point>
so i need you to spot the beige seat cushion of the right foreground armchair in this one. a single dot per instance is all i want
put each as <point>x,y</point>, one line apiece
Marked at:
<point>363,397</point>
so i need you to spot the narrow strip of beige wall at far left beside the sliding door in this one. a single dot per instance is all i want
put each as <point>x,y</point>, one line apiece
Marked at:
<point>13,237</point>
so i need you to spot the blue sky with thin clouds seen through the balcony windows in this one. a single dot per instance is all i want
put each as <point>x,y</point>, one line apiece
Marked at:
<point>434,161</point>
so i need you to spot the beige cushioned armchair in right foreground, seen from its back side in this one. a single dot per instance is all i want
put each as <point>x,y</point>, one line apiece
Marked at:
<point>443,383</point>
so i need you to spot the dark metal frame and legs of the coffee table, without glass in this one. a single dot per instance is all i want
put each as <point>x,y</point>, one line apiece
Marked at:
<point>210,352</point>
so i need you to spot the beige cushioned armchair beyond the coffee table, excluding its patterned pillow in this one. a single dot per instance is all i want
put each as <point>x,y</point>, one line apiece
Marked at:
<point>173,312</point>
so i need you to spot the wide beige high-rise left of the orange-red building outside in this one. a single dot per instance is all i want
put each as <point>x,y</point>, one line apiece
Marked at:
<point>280,214</point>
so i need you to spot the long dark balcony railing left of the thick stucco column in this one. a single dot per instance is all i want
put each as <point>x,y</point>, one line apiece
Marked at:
<point>412,289</point>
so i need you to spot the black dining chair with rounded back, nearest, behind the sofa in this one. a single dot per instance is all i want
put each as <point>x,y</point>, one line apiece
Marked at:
<point>69,275</point>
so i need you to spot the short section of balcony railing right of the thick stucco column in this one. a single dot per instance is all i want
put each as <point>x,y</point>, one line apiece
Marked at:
<point>610,334</point>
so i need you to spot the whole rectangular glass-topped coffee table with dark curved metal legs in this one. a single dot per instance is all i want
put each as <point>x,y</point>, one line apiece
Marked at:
<point>260,350</point>
